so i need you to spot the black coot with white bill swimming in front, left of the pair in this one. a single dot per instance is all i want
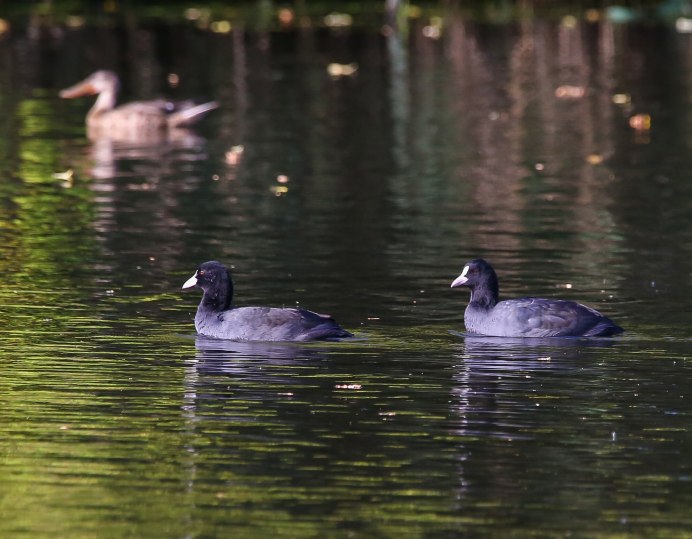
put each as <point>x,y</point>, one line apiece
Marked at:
<point>216,318</point>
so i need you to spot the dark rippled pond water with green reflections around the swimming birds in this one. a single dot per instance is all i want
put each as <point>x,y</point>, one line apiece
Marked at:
<point>559,151</point>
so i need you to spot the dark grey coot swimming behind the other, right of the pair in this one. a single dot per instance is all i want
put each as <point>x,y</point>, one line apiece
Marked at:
<point>525,317</point>
